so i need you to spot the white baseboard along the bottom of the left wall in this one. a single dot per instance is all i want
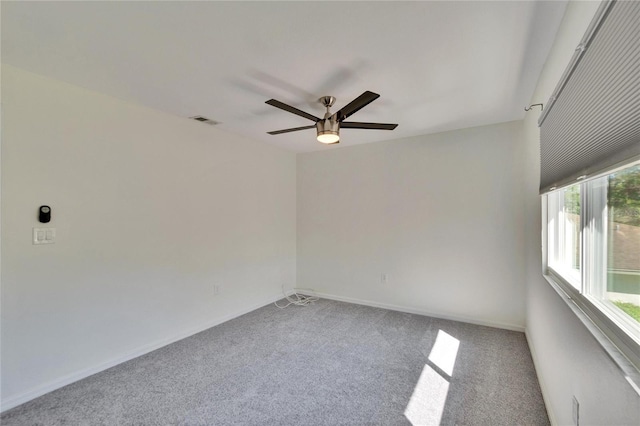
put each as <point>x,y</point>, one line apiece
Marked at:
<point>52,385</point>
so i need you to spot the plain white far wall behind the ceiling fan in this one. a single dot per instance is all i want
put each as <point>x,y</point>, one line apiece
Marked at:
<point>441,214</point>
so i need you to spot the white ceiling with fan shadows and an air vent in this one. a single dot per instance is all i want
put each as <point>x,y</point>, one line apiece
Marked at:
<point>437,65</point>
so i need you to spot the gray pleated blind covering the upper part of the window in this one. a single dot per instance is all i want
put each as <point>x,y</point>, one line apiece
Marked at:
<point>592,120</point>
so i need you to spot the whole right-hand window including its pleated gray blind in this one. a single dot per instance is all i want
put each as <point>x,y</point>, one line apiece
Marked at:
<point>589,179</point>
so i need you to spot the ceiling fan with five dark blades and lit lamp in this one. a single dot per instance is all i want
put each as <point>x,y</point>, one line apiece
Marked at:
<point>328,128</point>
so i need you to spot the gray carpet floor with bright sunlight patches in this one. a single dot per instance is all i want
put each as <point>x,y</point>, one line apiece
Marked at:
<point>331,363</point>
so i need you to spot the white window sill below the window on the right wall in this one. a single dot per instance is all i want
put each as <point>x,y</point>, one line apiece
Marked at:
<point>630,372</point>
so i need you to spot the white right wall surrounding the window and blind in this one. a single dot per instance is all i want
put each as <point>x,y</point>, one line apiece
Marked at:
<point>568,359</point>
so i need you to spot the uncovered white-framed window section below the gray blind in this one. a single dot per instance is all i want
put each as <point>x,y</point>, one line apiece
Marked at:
<point>593,251</point>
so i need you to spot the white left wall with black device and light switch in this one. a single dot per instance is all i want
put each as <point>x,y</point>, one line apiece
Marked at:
<point>151,212</point>
